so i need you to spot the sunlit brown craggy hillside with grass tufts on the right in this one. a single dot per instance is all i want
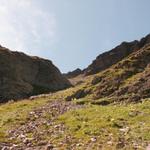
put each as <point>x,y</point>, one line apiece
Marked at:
<point>127,80</point>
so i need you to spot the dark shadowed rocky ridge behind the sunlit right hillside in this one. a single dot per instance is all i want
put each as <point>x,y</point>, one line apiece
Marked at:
<point>107,59</point>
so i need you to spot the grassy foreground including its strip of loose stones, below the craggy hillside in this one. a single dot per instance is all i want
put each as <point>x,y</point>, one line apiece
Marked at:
<point>48,123</point>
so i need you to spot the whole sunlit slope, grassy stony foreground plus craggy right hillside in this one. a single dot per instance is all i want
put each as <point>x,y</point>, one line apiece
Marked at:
<point>107,110</point>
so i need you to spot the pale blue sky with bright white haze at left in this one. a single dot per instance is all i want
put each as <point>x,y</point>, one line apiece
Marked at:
<point>71,33</point>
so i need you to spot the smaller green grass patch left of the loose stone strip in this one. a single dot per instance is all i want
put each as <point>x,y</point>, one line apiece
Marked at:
<point>13,114</point>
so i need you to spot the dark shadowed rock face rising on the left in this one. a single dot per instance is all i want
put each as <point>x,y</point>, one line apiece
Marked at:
<point>22,76</point>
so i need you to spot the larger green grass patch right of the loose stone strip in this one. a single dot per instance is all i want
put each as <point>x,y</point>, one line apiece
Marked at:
<point>106,122</point>
